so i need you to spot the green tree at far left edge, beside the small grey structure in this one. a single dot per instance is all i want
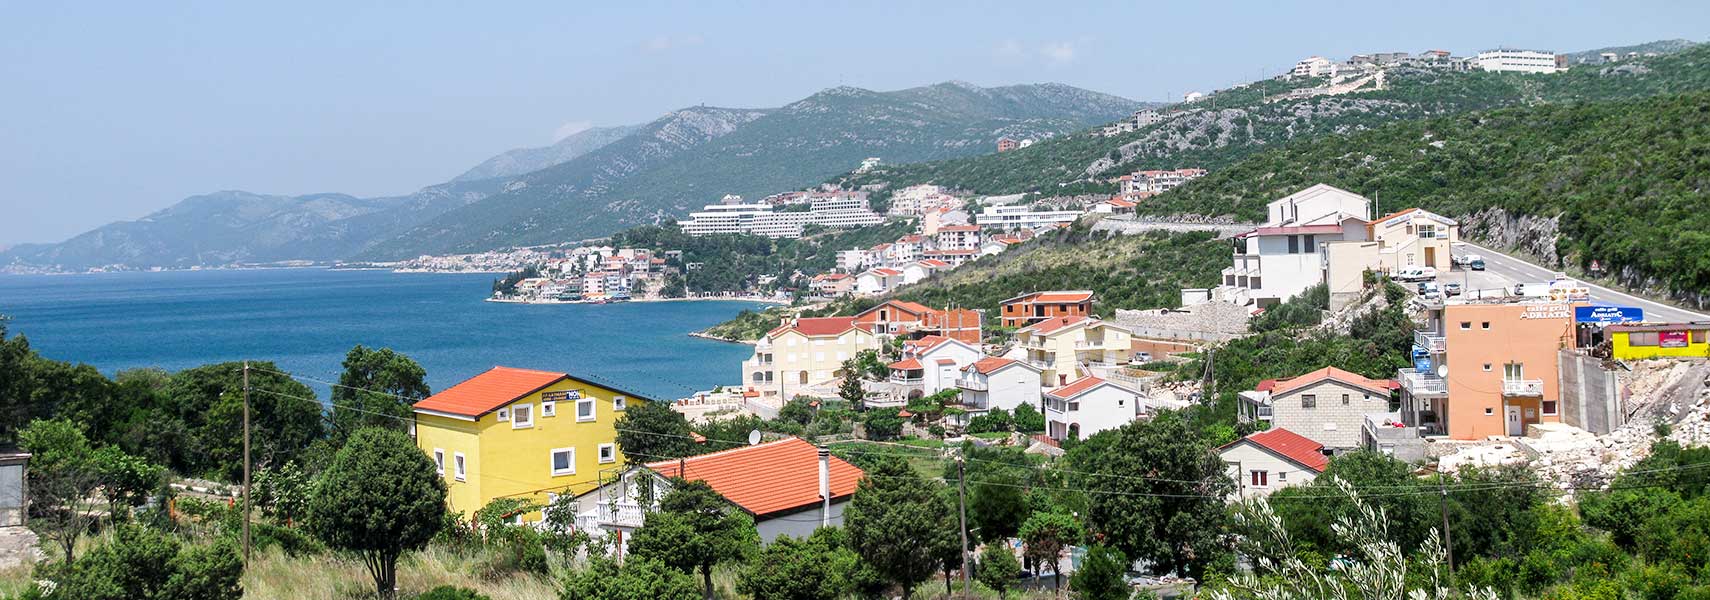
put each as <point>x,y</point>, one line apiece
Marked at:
<point>62,474</point>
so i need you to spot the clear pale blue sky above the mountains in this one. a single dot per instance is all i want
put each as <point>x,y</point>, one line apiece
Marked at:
<point>114,110</point>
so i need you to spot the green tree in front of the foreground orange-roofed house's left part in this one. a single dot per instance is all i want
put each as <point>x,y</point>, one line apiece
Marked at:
<point>695,529</point>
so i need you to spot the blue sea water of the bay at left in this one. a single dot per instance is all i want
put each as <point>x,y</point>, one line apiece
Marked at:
<point>307,319</point>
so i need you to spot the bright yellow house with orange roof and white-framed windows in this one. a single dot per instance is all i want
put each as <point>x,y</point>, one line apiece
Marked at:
<point>521,433</point>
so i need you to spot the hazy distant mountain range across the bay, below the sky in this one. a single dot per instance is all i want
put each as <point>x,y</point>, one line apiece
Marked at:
<point>591,184</point>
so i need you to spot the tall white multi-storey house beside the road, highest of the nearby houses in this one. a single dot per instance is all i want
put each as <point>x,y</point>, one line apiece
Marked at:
<point>1282,259</point>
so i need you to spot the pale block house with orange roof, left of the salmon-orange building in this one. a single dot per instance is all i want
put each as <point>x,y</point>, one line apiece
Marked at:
<point>1330,406</point>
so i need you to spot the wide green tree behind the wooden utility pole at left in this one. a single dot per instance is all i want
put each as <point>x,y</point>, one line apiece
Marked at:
<point>285,418</point>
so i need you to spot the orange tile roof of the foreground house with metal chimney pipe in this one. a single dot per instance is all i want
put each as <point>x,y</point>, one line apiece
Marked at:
<point>767,479</point>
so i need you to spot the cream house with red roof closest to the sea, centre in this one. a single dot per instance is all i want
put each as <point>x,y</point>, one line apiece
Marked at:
<point>803,353</point>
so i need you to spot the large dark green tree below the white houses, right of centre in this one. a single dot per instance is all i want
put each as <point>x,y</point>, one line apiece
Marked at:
<point>1165,491</point>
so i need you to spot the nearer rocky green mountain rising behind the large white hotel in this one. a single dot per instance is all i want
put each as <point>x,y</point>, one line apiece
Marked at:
<point>695,156</point>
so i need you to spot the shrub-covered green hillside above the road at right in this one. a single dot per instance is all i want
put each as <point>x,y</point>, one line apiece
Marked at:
<point>1627,182</point>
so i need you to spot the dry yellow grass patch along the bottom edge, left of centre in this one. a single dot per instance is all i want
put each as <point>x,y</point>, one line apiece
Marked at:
<point>274,575</point>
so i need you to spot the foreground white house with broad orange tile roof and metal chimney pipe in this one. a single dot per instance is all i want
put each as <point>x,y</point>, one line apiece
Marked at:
<point>787,488</point>
